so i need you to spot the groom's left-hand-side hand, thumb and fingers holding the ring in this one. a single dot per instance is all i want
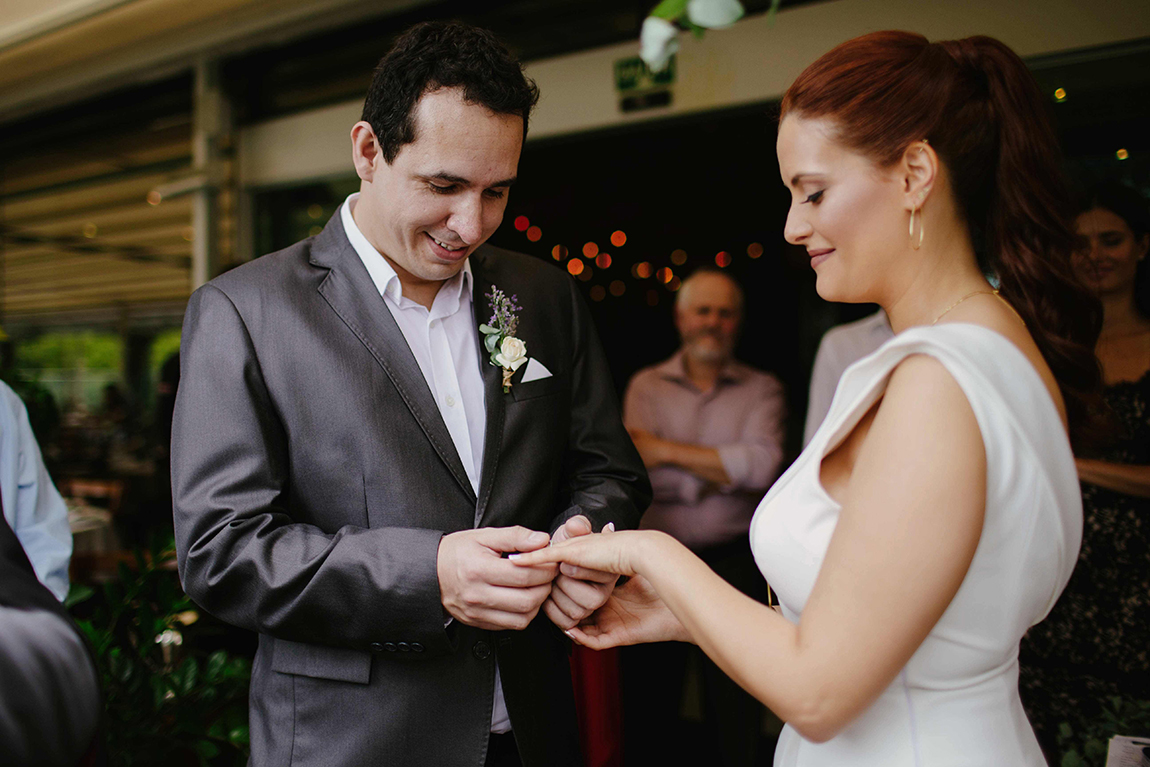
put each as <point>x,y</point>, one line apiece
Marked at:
<point>480,588</point>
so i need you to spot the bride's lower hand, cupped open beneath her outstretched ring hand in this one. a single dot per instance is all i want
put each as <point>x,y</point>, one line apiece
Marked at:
<point>634,615</point>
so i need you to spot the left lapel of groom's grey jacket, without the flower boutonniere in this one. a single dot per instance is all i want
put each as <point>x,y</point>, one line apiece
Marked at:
<point>351,294</point>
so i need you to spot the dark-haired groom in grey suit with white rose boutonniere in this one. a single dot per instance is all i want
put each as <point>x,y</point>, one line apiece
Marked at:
<point>350,469</point>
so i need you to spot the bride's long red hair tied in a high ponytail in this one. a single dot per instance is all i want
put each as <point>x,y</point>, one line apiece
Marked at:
<point>980,109</point>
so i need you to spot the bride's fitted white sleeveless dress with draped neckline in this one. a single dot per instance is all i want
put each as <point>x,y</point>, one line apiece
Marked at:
<point>956,702</point>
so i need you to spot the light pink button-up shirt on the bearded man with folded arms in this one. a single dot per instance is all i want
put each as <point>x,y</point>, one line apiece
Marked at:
<point>743,417</point>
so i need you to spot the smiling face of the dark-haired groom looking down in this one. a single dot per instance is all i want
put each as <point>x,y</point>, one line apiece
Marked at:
<point>446,194</point>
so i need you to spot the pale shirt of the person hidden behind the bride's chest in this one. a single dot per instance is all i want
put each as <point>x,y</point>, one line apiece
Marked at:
<point>840,349</point>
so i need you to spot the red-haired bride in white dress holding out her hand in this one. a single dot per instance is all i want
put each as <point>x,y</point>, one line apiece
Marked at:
<point>937,513</point>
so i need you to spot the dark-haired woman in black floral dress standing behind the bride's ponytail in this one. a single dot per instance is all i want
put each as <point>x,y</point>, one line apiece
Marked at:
<point>1097,642</point>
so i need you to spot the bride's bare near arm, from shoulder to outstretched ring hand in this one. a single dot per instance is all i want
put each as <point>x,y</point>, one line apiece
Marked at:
<point>911,521</point>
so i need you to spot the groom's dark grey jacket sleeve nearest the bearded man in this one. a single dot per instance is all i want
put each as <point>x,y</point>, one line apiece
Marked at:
<point>605,479</point>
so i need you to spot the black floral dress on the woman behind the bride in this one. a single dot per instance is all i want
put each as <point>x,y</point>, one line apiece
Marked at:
<point>1097,641</point>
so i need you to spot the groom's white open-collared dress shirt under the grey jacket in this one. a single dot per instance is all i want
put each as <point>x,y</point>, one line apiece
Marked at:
<point>444,342</point>
